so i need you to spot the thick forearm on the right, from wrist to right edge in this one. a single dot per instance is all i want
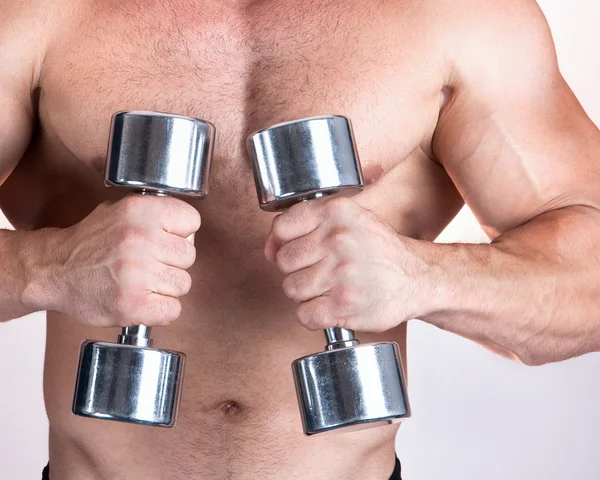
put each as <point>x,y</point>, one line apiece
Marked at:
<point>535,291</point>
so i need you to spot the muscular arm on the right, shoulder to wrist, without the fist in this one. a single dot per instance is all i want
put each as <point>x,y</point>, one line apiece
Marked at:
<point>526,159</point>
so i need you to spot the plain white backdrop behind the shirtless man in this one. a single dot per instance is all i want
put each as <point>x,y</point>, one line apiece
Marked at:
<point>475,416</point>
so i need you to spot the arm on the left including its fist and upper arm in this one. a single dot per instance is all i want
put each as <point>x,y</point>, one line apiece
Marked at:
<point>126,262</point>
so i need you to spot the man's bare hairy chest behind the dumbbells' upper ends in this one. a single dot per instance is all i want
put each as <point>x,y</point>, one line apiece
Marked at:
<point>241,69</point>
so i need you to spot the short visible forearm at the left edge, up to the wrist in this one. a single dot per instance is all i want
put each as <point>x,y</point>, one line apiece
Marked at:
<point>25,286</point>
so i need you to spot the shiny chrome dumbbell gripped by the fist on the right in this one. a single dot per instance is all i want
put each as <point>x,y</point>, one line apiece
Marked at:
<point>349,385</point>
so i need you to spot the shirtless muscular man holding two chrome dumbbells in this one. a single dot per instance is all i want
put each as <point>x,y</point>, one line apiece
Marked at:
<point>451,101</point>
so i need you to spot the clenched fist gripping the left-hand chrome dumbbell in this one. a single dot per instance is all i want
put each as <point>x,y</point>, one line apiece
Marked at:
<point>125,264</point>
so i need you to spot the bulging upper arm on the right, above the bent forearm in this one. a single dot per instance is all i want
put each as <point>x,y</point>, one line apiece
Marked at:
<point>512,136</point>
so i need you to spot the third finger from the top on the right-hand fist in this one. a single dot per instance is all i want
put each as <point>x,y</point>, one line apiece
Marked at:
<point>309,283</point>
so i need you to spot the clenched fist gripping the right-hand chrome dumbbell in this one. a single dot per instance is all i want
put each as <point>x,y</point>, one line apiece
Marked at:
<point>346,268</point>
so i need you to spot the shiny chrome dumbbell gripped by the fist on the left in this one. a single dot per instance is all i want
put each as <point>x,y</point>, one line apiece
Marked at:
<point>129,381</point>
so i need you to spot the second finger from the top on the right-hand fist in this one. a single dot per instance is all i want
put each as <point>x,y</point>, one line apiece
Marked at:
<point>301,253</point>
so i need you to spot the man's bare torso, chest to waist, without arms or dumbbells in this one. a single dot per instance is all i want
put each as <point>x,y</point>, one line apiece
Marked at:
<point>242,68</point>
